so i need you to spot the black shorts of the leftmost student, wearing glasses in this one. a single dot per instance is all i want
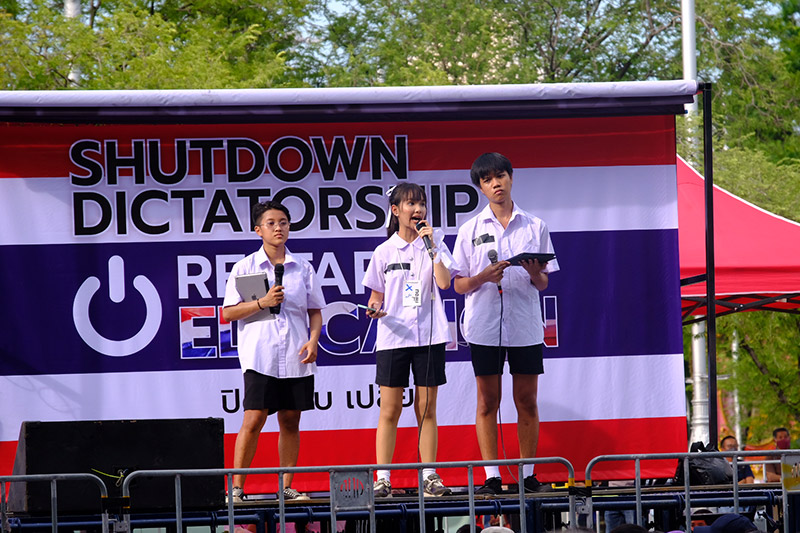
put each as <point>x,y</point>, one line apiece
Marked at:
<point>277,394</point>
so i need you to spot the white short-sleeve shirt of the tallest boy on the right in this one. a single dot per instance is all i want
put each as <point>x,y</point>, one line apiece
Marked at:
<point>522,312</point>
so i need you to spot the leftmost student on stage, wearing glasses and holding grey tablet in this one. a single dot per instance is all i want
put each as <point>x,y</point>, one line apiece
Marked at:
<point>277,349</point>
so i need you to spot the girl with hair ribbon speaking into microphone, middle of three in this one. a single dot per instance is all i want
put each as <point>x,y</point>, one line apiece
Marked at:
<point>412,330</point>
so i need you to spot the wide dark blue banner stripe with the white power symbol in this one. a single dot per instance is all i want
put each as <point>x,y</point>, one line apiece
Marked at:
<point>617,294</point>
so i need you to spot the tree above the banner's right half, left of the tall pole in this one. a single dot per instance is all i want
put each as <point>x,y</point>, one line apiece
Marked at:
<point>376,42</point>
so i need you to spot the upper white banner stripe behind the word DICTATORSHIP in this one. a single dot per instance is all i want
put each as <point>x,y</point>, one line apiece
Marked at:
<point>599,198</point>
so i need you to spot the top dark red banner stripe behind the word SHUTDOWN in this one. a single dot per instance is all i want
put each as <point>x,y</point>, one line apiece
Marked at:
<point>36,150</point>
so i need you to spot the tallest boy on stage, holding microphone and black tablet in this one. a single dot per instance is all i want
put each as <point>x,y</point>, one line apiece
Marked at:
<point>503,316</point>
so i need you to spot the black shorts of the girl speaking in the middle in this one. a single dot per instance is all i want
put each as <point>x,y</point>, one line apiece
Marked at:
<point>392,366</point>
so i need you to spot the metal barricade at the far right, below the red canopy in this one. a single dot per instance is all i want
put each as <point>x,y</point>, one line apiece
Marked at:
<point>685,458</point>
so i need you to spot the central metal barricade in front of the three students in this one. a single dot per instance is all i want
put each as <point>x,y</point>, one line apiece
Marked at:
<point>357,480</point>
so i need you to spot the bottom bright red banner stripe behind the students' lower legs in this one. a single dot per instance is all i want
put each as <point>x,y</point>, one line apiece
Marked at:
<point>577,441</point>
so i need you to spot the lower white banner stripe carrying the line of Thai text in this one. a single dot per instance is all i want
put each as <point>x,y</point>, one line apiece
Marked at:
<point>591,388</point>
